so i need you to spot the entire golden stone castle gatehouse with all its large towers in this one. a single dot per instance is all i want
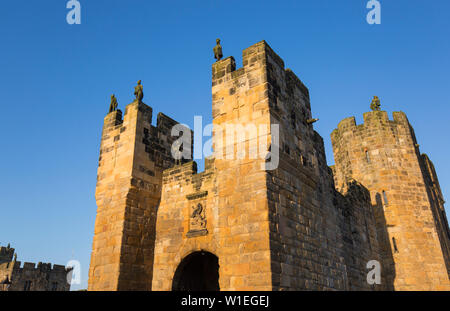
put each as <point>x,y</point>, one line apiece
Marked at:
<point>303,226</point>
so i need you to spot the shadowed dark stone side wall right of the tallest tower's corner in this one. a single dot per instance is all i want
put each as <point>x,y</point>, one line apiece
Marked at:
<point>317,241</point>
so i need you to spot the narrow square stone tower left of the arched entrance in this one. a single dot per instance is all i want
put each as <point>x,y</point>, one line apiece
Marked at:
<point>133,154</point>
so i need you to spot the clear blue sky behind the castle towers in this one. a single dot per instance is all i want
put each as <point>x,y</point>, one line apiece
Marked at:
<point>56,80</point>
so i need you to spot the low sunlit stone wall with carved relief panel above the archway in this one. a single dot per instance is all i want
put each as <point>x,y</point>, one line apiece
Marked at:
<point>183,191</point>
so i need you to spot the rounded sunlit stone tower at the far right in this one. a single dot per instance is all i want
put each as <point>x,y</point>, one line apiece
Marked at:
<point>383,155</point>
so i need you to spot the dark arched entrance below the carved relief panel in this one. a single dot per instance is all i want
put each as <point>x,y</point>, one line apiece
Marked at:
<point>198,271</point>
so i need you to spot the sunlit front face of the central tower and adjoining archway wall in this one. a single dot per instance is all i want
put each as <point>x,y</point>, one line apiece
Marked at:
<point>232,191</point>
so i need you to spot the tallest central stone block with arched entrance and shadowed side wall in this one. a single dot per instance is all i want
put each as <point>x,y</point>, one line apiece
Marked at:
<point>267,222</point>
